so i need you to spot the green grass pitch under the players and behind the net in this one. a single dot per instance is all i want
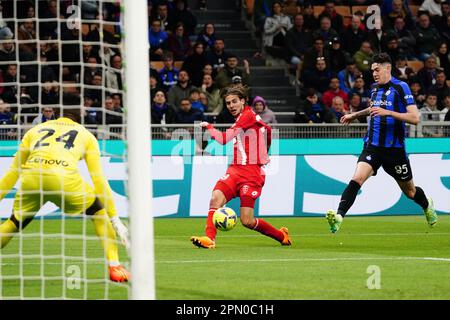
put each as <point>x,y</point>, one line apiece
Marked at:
<point>411,260</point>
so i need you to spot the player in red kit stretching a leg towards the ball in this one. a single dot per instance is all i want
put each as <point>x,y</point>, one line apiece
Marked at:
<point>245,176</point>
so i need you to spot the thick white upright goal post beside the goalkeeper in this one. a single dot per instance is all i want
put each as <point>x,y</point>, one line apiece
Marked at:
<point>137,95</point>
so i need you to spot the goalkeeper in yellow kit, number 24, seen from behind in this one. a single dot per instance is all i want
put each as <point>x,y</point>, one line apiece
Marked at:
<point>47,164</point>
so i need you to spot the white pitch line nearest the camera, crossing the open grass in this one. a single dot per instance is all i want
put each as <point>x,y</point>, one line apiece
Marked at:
<point>304,260</point>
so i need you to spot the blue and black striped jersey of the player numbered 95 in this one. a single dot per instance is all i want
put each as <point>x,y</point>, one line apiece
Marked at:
<point>385,131</point>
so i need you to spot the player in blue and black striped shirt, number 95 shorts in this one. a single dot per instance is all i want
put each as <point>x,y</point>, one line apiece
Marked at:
<point>391,106</point>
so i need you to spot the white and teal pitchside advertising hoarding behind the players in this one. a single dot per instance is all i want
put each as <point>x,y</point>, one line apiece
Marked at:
<point>304,178</point>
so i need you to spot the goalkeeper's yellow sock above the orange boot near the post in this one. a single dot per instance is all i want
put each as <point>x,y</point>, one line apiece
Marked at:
<point>105,231</point>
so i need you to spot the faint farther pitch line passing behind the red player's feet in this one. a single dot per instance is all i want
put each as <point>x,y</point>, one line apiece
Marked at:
<point>329,235</point>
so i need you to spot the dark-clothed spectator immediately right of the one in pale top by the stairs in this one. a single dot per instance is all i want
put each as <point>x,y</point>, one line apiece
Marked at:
<point>297,41</point>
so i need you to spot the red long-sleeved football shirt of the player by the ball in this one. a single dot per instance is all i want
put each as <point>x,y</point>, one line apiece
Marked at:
<point>251,138</point>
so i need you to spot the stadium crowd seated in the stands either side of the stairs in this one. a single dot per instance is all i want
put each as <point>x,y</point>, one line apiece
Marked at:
<point>329,53</point>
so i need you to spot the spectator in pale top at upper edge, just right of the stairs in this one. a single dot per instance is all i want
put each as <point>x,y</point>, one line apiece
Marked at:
<point>275,29</point>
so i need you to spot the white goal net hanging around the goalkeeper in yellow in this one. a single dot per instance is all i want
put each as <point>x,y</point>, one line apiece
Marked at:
<point>56,55</point>
